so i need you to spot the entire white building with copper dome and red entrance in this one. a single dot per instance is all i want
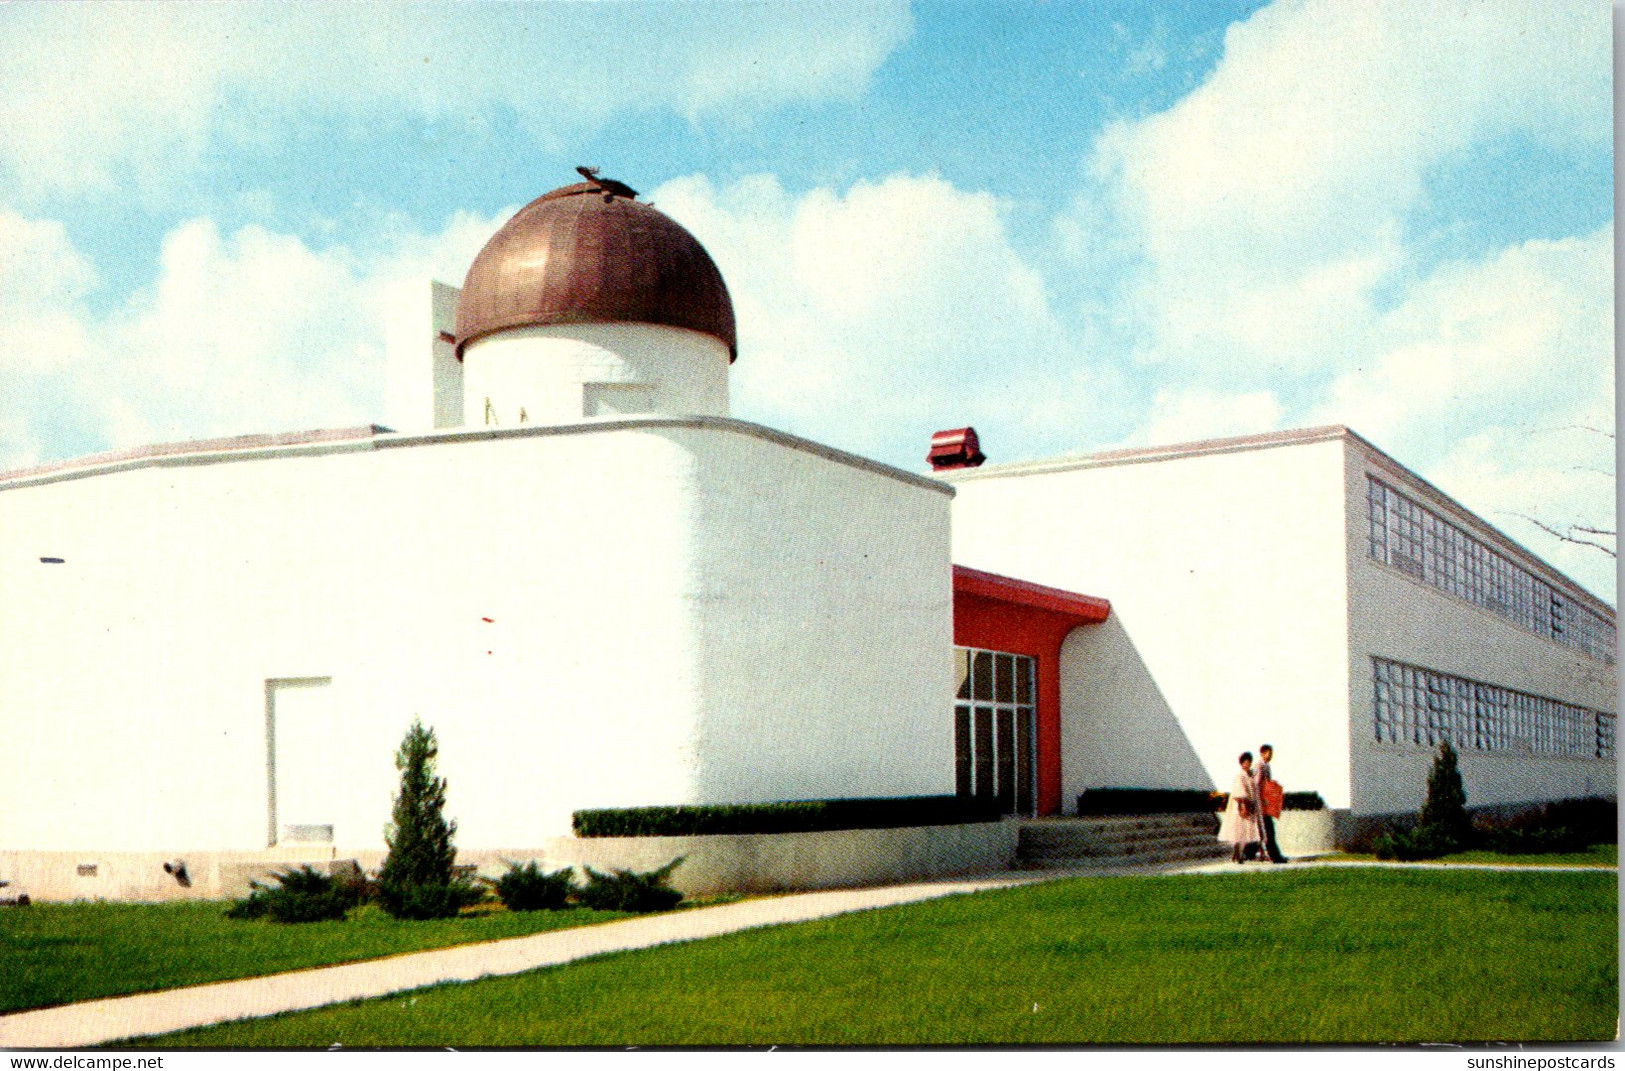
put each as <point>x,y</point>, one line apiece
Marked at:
<point>602,592</point>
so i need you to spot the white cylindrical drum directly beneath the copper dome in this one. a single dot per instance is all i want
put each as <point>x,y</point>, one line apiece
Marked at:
<point>565,373</point>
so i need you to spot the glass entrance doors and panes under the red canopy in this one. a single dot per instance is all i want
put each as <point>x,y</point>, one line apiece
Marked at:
<point>997,729</point>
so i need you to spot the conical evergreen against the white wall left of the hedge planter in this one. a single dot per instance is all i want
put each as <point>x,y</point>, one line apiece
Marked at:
<point>418,836</point>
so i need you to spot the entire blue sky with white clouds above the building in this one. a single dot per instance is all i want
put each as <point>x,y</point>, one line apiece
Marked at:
<point>1072,225</point>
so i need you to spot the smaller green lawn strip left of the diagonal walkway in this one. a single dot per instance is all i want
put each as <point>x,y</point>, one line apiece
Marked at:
<point>61,953</point>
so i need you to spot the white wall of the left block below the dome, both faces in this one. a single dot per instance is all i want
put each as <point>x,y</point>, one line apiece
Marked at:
<point>605,615</point>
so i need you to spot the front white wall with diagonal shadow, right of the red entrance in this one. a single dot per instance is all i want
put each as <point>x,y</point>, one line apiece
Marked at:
<point>1226,576</point>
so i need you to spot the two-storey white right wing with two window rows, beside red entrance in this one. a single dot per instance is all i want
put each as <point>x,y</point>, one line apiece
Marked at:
<point>1307,591</point>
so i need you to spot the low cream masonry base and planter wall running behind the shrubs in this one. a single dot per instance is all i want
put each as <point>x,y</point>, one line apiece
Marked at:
<point>713,865</point>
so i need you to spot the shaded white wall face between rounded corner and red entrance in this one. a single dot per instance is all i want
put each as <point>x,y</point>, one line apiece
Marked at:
<point>847,690</point>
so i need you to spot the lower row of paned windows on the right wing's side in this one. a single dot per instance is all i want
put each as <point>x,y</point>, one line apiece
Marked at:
<point>1424,708</point>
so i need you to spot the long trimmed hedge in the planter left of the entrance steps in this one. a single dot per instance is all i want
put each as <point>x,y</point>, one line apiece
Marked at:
<point>784,818</point>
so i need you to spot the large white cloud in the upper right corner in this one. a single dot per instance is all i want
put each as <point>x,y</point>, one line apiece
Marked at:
<point>1268,204</point>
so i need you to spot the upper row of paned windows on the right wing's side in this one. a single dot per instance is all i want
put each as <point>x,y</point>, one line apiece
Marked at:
<point>1436,552</point>
